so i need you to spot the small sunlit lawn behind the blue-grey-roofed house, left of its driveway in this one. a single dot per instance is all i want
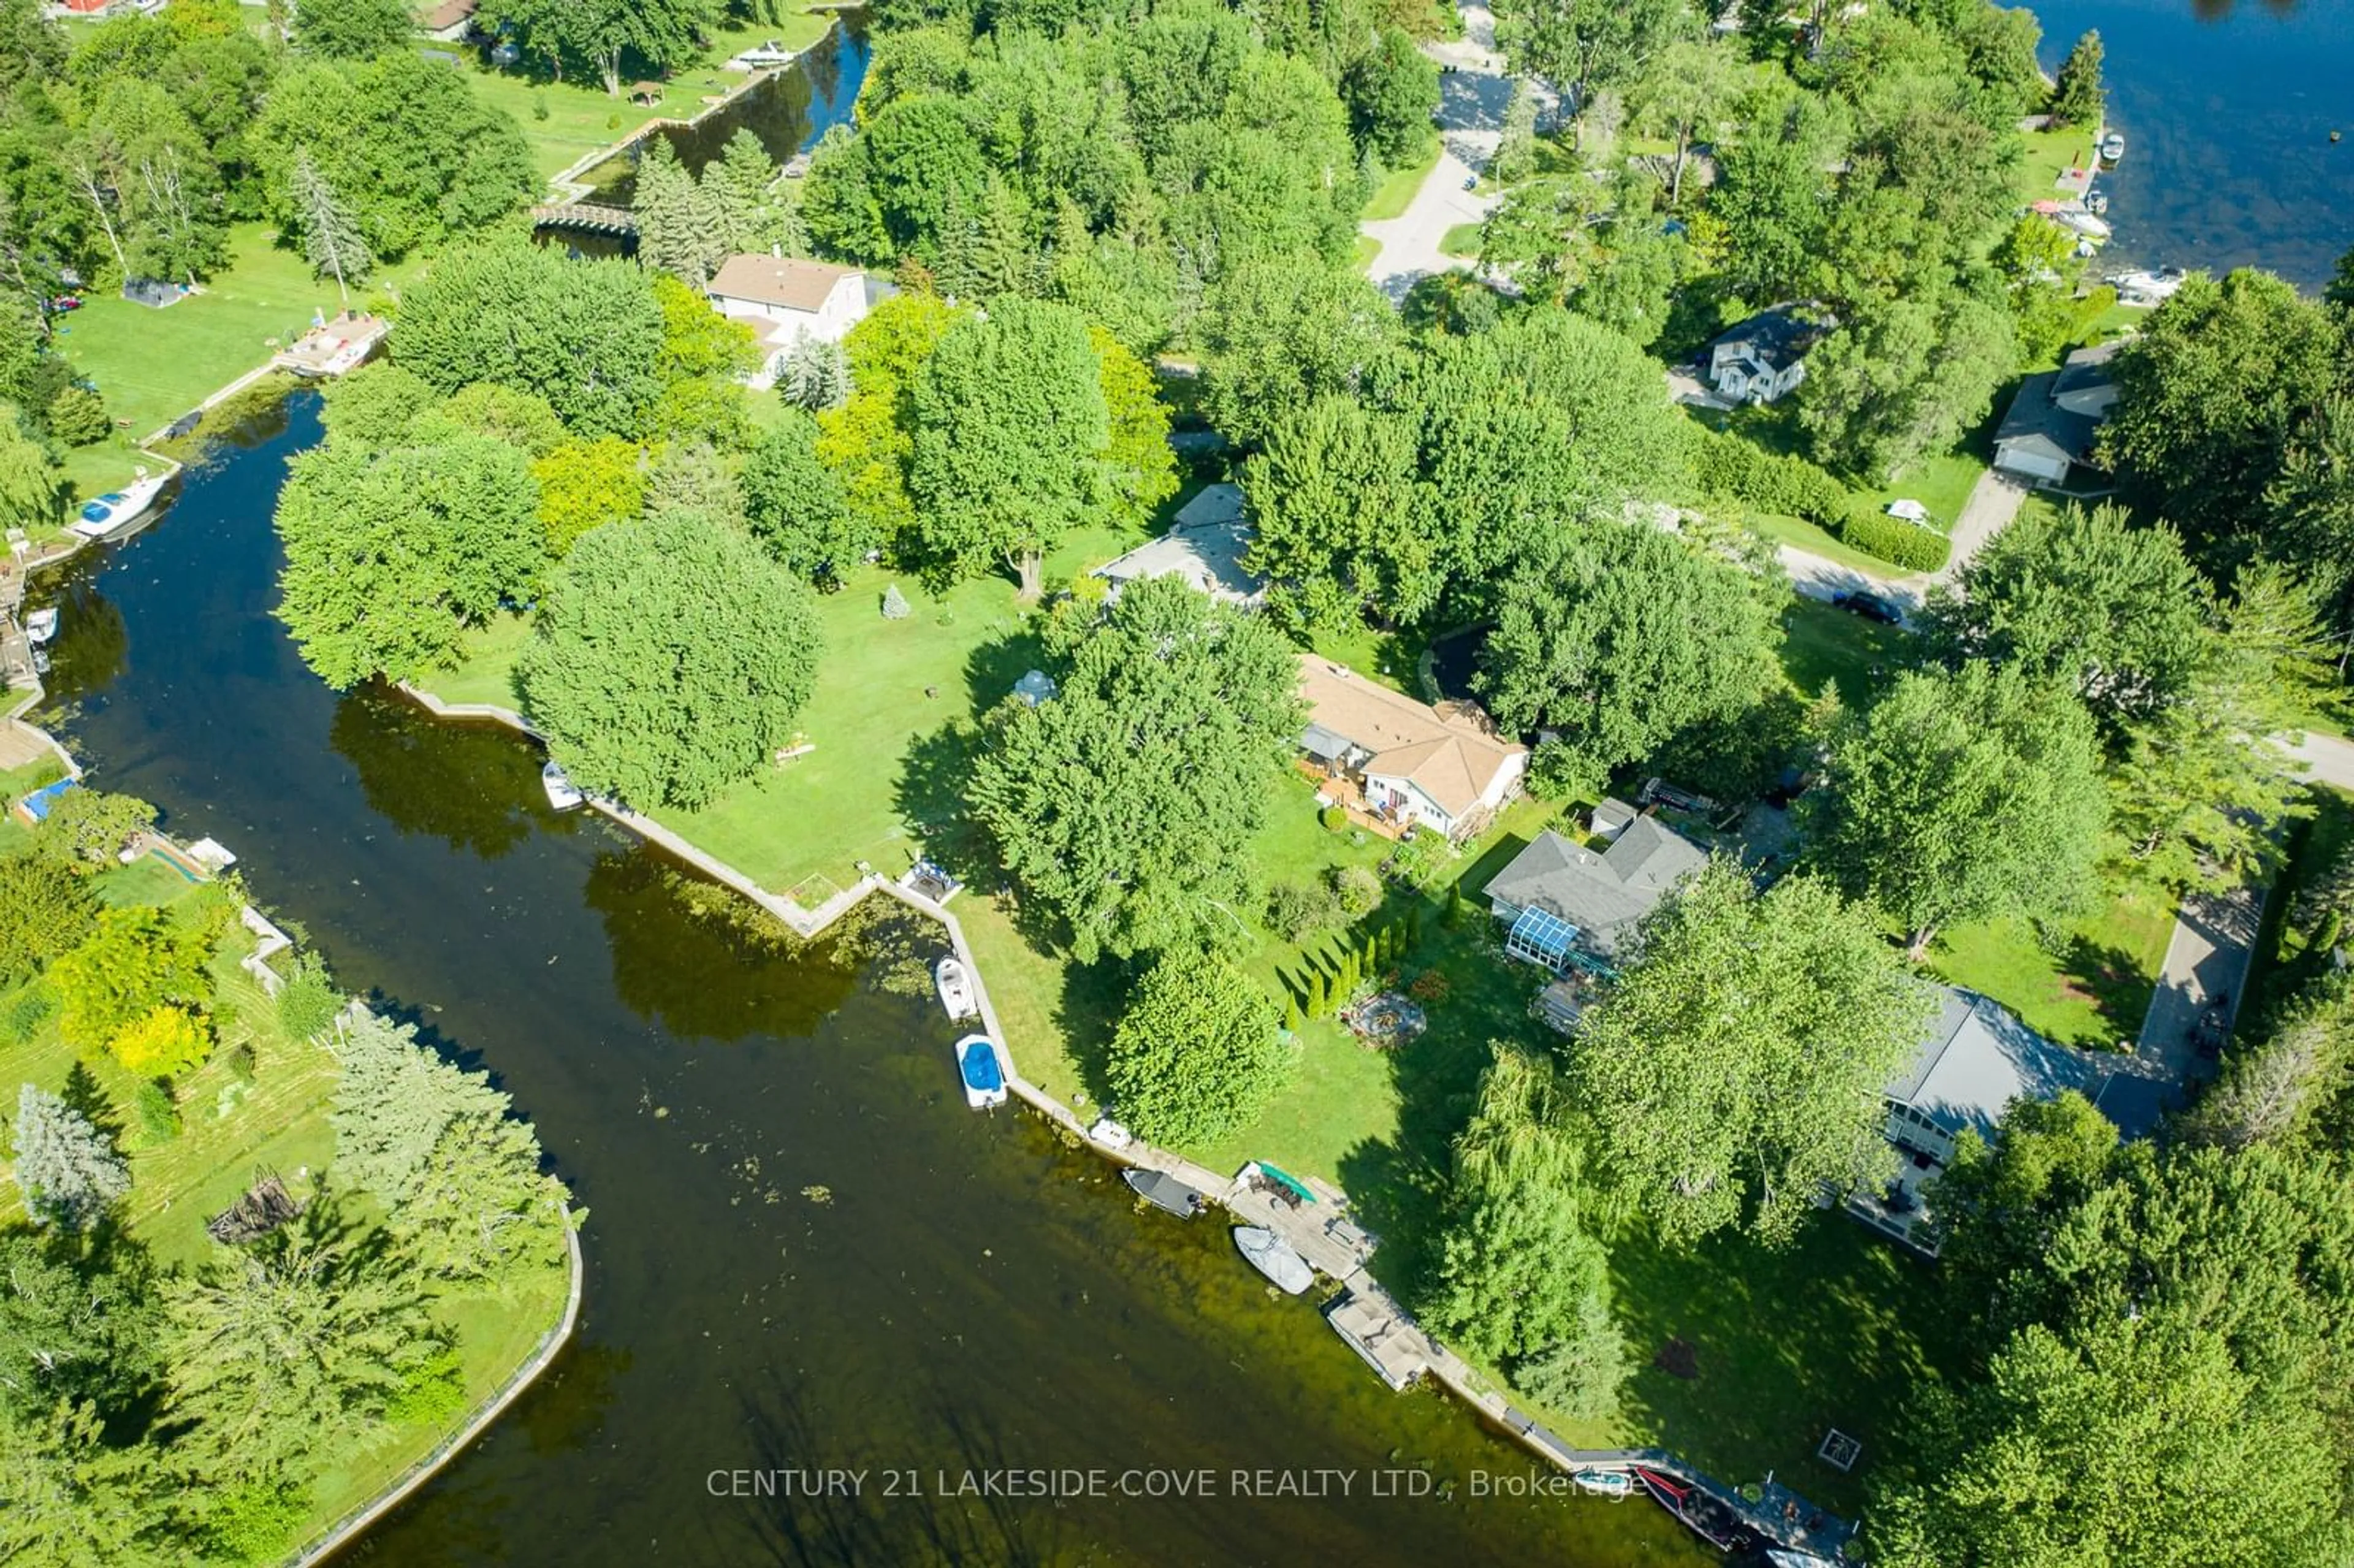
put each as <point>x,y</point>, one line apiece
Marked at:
<point>2092,988</point>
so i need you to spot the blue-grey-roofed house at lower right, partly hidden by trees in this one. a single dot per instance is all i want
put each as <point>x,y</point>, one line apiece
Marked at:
<point>1976,1061</point>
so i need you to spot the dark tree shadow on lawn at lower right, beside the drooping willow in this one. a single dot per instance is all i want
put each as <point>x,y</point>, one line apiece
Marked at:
<point>1837,1329</point>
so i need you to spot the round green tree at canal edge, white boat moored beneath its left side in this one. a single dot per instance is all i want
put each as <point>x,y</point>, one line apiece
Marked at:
<point>670,660</point>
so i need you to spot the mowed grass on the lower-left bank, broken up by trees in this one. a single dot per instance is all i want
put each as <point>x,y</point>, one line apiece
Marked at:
<point>279,1124</point>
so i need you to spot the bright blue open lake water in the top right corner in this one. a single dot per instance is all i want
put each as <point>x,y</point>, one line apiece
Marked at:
<point>2228,107</point>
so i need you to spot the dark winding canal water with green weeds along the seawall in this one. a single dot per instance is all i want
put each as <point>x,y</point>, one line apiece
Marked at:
<point>804,1251</point>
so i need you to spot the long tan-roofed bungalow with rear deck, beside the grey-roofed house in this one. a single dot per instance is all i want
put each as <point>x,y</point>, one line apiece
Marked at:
<point>1444,769</point>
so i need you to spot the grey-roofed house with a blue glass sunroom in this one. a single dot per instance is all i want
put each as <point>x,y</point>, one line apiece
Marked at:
<point>1567,905</point>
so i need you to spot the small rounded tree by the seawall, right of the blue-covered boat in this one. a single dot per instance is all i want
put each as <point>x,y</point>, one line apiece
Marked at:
<point>1199,1051</point>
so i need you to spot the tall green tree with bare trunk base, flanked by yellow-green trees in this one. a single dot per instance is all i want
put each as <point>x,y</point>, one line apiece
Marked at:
<point>1009,441</point>
